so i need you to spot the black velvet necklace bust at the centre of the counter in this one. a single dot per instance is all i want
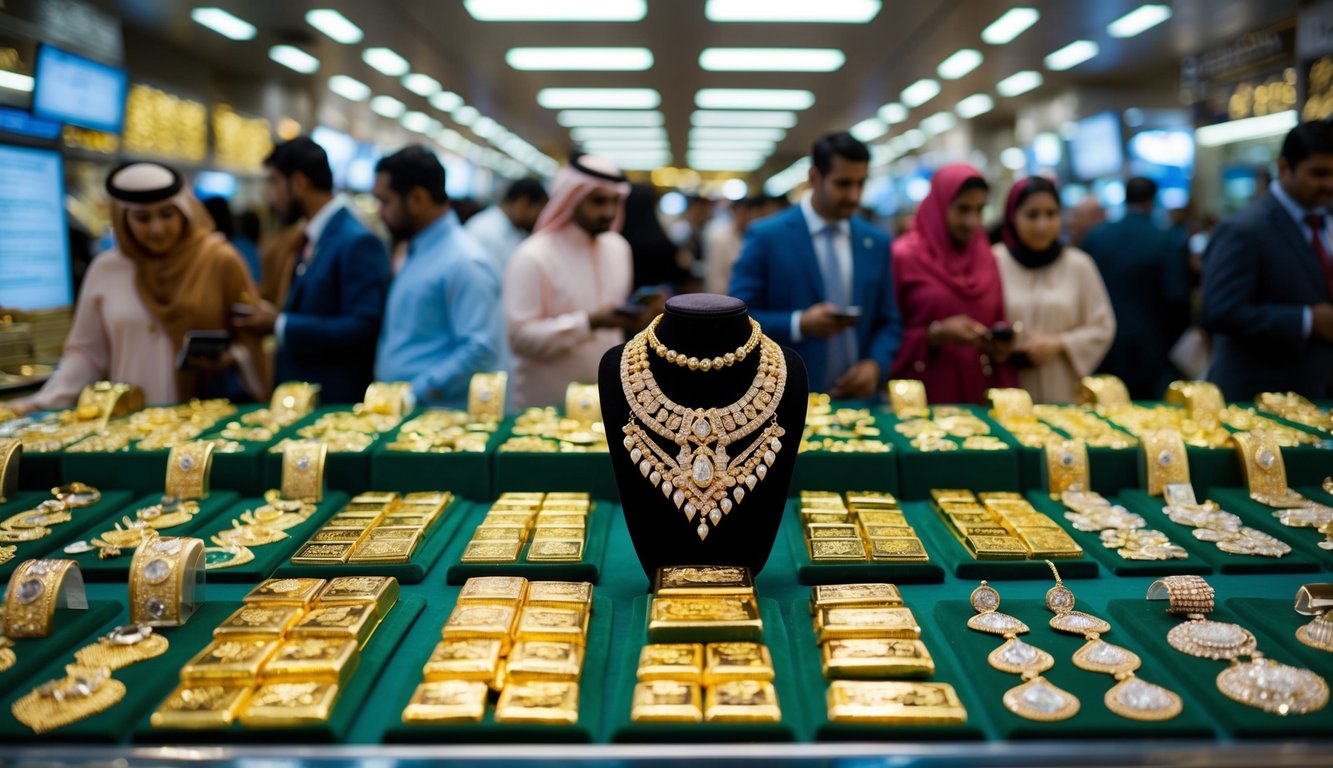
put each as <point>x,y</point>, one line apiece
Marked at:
<point>703,326</point>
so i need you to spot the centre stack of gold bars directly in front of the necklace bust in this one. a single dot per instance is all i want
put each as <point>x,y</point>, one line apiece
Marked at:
<point>706,659</point>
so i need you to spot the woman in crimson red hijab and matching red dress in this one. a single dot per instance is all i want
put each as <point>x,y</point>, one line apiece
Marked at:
<point>950,293</point>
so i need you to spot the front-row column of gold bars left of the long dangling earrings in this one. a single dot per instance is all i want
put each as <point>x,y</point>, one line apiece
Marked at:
<point>874,657</point>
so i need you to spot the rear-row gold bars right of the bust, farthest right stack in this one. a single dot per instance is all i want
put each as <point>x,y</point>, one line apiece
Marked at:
<point>1003,526</point>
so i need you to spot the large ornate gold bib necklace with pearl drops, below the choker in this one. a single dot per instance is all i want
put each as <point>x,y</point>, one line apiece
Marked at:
<point>703,481</point>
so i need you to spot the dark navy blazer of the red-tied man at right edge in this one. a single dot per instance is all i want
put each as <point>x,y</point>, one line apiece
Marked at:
<point>1260,273</point>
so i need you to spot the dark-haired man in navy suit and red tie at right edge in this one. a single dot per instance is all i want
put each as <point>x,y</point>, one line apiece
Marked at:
<point>1268,283</point>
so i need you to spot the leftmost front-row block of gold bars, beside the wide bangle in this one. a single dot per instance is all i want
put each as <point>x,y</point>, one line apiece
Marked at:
<point>283,658</point>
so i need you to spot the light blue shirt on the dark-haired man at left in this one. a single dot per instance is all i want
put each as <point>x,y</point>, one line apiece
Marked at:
<point>443,322</point>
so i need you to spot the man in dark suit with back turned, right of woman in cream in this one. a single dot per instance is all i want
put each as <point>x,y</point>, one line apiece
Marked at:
<point>1146,270</point>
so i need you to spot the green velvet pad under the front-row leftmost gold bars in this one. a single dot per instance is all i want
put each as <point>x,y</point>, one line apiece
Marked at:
<point>378,654</point>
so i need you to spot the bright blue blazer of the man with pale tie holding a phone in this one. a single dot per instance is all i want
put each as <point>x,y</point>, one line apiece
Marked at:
<point>778,274</point>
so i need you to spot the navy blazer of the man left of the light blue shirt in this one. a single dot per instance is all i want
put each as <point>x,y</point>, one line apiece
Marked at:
<point>334,313</point>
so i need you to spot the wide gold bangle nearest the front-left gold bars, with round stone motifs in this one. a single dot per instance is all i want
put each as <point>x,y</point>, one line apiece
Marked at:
<point>163,581</point>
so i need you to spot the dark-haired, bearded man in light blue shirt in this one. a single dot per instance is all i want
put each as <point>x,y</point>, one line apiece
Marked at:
<point>443,322</point>
